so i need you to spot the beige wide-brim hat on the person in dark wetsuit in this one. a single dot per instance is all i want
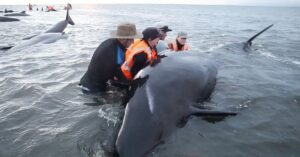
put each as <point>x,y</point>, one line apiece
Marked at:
<point>126,30</point>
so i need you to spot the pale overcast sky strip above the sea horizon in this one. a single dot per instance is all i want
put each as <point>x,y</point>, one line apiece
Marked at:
<point>204,2</point>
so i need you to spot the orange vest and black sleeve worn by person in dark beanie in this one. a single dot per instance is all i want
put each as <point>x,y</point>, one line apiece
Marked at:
<point>138,55</point>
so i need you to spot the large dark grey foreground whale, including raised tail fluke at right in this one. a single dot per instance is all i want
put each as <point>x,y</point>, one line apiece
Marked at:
<point>164,96</point>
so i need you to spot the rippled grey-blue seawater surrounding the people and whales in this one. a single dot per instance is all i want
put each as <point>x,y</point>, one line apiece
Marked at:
<point>44,113</point>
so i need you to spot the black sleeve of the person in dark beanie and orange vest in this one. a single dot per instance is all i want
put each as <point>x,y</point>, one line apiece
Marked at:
<point>139,63</point>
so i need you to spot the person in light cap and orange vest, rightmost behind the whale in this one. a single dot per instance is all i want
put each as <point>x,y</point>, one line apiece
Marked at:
<point>180,43</point>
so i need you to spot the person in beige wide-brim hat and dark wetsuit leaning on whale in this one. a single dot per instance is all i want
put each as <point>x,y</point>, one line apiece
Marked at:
<point>108,58</point>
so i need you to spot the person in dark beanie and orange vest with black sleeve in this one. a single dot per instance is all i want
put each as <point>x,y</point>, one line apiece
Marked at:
<point>141,53</point>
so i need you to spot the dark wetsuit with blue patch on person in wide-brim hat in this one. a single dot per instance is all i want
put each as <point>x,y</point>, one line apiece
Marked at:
<point>104,66</point>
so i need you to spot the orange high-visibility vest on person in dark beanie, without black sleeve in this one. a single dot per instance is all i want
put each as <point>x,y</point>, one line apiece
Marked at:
<point>139,46</point>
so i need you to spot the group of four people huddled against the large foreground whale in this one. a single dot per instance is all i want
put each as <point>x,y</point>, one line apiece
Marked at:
<point>118,59</point>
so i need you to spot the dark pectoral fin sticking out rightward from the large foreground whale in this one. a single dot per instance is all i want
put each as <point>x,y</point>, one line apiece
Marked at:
<point>205,112</point>
